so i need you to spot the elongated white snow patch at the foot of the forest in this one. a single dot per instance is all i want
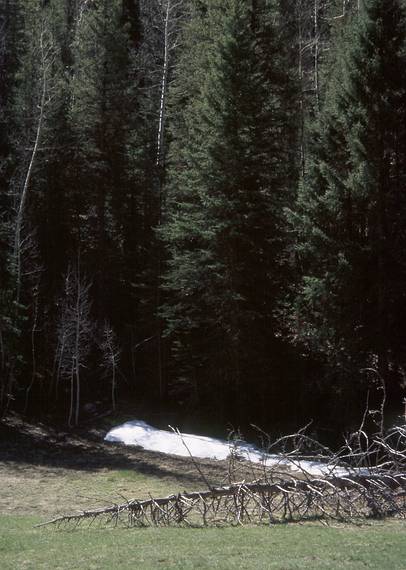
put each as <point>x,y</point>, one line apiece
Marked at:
<point>140,433</point>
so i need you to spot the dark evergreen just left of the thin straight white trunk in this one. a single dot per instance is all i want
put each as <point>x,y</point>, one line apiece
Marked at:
<point>113,117</point>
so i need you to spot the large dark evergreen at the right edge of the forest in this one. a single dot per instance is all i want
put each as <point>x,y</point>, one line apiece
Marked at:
<point>349,303</point>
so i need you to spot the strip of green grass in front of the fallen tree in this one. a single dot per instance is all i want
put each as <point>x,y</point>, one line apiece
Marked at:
<point>380,546</point>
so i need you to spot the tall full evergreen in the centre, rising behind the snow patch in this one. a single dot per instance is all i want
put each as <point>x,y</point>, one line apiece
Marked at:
<point>226,190</point>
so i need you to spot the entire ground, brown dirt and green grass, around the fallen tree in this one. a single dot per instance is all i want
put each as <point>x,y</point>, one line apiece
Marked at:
<point>45,472</point>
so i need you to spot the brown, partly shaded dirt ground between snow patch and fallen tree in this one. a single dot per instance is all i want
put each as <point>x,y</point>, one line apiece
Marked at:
<point>46,472</point>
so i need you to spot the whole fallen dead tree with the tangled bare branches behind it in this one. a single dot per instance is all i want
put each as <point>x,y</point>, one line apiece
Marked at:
<point>366,478</point>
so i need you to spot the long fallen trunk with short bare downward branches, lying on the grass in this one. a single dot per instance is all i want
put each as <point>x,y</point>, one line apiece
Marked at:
<point>294,499</point>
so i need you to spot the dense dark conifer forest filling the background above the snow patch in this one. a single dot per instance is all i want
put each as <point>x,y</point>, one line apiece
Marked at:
<point>203,207</point>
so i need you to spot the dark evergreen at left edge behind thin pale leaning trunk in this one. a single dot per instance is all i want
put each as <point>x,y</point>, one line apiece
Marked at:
<point>34,97</point>
